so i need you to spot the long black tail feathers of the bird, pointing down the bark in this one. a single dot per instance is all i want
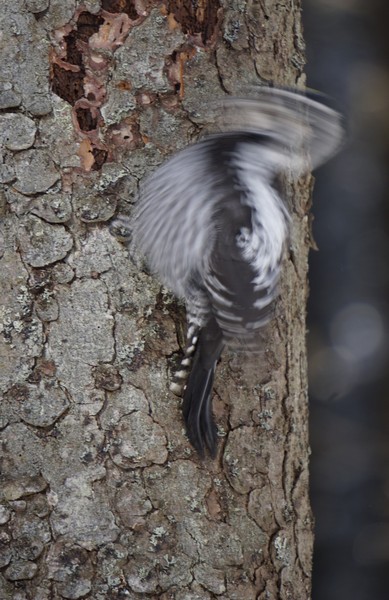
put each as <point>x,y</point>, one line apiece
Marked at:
<point>197,400</point>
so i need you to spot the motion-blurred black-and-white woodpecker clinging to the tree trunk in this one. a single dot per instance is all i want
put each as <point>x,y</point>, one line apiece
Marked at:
<point>213,227</point>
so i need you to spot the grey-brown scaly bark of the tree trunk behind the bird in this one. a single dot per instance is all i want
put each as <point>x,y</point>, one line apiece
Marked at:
<point>102,496</point>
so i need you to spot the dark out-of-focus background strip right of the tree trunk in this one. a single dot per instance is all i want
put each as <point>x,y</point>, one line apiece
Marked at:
<point>348,58</point>
